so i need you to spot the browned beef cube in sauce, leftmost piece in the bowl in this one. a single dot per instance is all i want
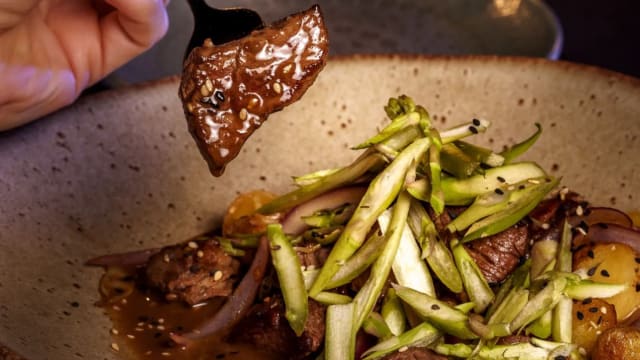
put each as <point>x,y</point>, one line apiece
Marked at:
<point>193,272</point>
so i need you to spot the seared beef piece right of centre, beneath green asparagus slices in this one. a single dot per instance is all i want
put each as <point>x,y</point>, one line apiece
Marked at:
<point>498,255</point>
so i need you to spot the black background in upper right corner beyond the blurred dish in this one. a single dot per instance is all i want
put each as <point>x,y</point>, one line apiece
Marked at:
<point>601,33</point>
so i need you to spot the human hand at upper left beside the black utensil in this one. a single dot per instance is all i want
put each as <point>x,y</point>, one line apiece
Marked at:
<point>51,50</point>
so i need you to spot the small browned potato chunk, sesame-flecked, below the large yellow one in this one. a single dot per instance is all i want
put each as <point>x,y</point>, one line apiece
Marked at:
<point>591,317</point>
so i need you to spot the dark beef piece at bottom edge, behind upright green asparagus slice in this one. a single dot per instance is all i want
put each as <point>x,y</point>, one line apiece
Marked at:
<point>267,328</point>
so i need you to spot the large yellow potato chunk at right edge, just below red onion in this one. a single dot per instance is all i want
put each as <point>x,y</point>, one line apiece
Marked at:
<point>613,264</point>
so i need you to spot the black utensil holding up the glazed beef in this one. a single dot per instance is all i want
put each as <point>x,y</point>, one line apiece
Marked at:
<point>220,25</point>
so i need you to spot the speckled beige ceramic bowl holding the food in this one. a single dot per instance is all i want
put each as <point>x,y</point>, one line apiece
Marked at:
<point>118,171</point>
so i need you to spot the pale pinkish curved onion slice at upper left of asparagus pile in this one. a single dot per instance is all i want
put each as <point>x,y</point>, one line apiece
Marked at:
<point>293,224</point>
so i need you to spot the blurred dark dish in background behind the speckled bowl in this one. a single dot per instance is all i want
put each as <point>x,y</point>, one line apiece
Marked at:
<point>454,27</point>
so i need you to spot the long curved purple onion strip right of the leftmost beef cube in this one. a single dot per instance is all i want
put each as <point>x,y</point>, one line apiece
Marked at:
<point>237,305</point>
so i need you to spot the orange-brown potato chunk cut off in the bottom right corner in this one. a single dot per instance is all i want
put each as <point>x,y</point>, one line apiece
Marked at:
<point>618,343</point>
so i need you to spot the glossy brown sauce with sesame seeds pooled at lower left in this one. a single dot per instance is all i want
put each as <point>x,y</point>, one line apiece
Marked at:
<point>143,320</point>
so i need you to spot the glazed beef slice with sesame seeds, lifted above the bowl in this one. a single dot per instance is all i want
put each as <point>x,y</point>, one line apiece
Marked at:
<point>228,91</point>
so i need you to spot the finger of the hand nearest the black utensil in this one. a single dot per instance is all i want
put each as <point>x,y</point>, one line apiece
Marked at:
<point>133,28</point>
